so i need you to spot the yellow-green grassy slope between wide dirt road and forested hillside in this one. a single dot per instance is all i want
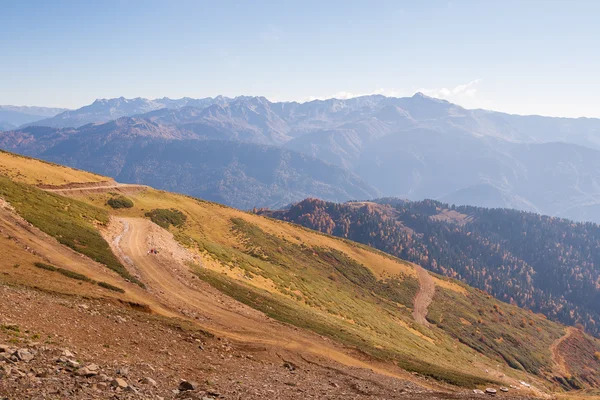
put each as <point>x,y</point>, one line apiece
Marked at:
<point>354,294</point>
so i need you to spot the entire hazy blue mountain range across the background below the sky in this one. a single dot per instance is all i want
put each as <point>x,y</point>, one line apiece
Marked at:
<point>415,147</point>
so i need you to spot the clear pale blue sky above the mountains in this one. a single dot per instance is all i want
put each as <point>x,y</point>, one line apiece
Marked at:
<point>522,57</point>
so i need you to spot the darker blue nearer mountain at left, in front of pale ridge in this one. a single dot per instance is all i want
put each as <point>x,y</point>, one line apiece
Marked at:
<point>241,174</point>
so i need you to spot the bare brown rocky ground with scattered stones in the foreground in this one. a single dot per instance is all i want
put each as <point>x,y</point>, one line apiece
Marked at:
<point>58,347</point>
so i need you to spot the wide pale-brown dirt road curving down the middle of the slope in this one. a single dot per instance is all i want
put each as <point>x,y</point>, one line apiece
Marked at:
<point>176,288</point>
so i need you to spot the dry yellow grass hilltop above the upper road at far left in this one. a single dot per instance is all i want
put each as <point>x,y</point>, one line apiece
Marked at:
<point>34,172</point>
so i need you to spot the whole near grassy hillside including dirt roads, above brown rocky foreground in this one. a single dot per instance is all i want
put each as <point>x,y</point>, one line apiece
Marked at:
<point>352,294</point>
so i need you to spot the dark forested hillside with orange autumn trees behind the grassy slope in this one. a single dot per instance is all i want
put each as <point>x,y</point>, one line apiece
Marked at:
<point>546,264</point>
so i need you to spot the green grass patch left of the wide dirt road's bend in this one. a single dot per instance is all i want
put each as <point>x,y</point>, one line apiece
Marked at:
<point>71,222</point>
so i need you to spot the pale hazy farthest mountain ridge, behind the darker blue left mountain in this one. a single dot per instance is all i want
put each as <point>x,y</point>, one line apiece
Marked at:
<point>418,146</point>
